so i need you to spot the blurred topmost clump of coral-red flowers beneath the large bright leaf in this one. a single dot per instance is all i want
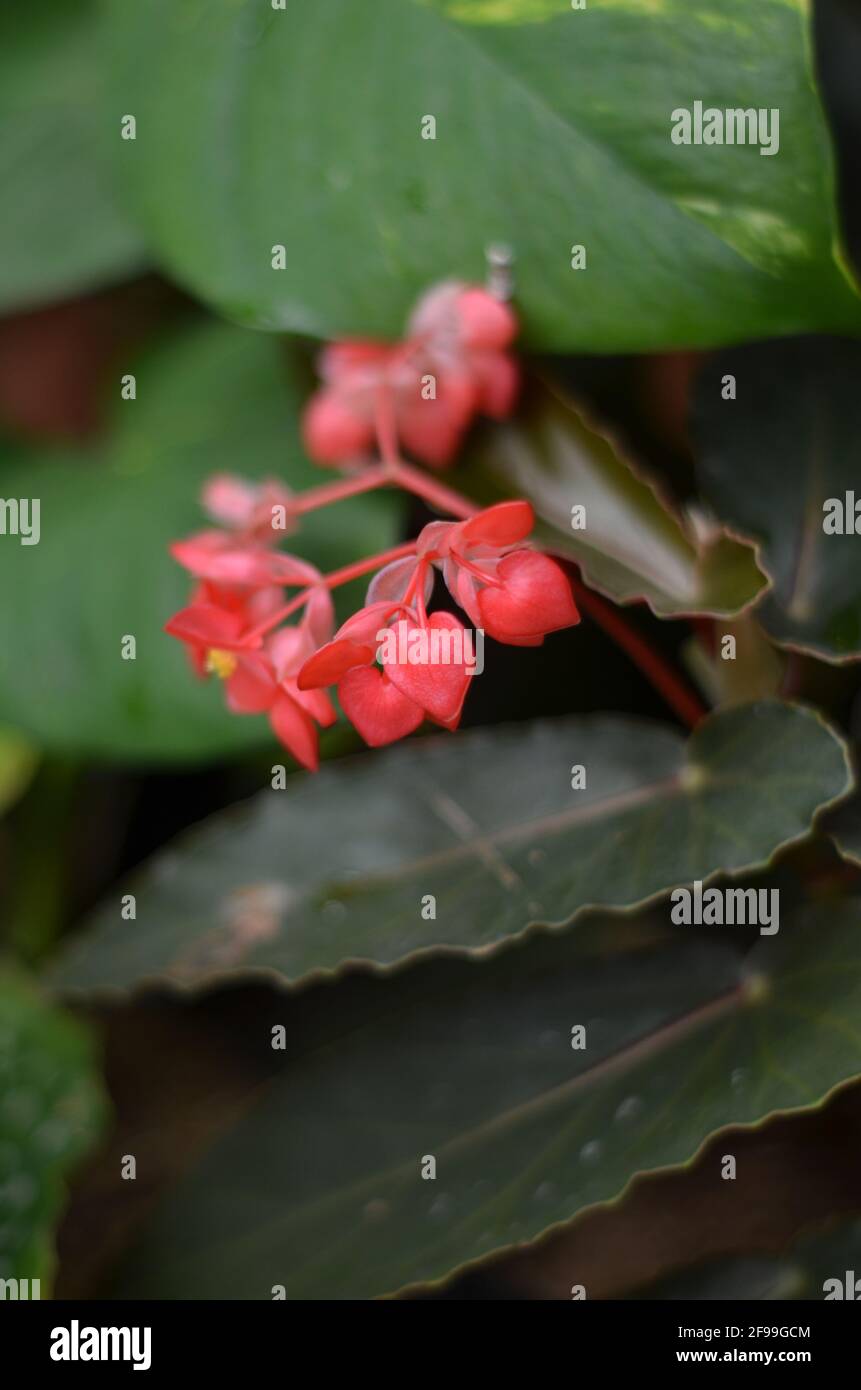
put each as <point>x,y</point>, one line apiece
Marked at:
<point>453,366</point>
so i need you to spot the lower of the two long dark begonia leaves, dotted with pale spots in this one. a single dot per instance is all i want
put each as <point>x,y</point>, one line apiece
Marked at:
<point>319,1186</point>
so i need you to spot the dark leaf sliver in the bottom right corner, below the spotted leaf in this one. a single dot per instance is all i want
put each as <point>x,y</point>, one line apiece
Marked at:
<point>800,1274</point>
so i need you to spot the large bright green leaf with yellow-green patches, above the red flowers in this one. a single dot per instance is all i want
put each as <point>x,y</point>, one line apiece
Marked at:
<point>303,127</point>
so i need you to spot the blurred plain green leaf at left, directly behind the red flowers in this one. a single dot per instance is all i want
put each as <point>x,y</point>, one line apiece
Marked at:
<point>218,400</point>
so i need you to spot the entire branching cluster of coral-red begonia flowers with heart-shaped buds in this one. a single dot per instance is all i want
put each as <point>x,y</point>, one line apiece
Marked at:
<point>393,664</point>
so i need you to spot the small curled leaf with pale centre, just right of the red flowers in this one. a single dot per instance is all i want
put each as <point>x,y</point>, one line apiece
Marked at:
<point>634,544</point>
